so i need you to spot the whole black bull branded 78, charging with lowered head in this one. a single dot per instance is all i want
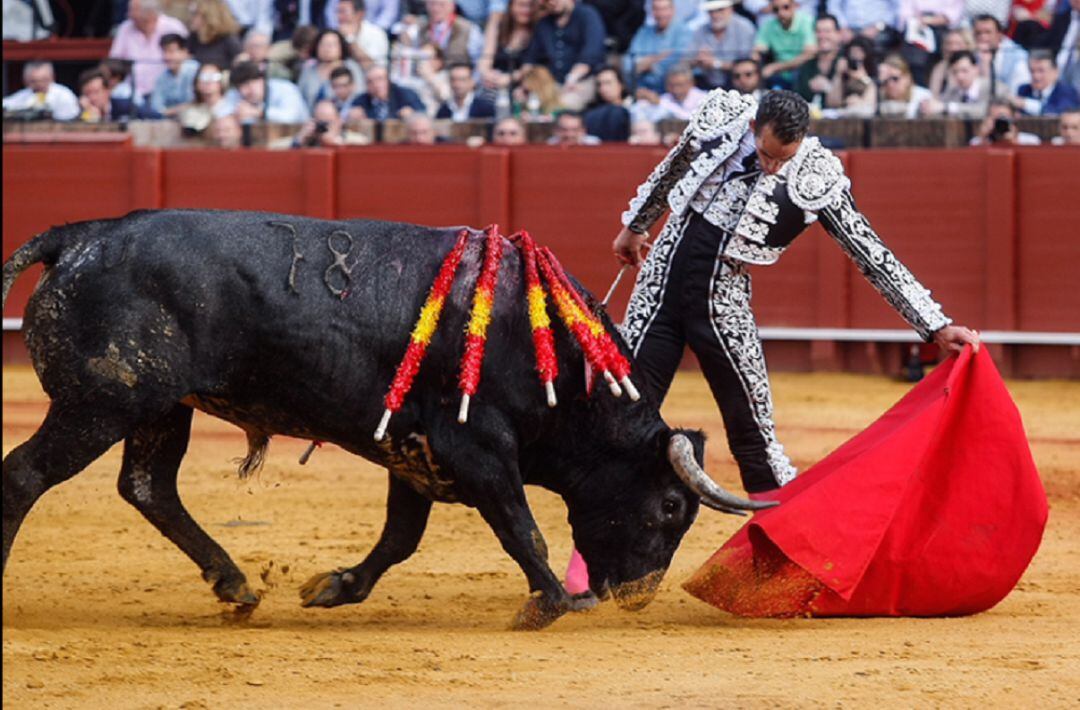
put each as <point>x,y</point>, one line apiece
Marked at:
<point>295,327</point>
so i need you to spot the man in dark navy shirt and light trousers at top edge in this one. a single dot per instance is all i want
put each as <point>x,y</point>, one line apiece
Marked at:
<point>570,44</point>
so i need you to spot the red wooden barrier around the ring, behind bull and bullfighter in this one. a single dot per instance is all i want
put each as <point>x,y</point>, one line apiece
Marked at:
<point>993,233</point>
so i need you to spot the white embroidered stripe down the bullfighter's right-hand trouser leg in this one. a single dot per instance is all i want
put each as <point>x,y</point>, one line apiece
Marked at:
<point>737,333</point>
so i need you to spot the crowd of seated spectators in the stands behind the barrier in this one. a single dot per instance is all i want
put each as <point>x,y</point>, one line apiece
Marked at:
<point>601,71</point>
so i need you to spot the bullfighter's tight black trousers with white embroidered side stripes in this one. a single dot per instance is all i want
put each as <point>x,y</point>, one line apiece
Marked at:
<point>701,300</point>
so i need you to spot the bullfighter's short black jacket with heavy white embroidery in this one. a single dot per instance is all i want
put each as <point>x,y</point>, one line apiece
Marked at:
<point>765,213</point>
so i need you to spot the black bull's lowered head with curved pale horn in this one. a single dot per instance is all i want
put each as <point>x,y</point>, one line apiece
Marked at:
<point>629,534</point>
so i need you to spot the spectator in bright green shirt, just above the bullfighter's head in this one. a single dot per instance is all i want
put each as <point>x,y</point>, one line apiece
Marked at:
<point>788,41</point>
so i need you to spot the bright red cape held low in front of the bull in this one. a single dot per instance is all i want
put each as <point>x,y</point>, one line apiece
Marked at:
<point>936,510</point>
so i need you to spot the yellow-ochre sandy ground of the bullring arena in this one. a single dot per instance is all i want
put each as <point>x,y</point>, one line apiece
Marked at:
<point>102,612</point>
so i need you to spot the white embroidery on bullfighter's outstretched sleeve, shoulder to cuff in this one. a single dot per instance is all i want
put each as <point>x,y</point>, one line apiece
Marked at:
<point>886,273</point>
